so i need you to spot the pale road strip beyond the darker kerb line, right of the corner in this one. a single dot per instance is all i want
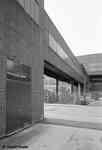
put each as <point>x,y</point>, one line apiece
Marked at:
<point>74,115</point>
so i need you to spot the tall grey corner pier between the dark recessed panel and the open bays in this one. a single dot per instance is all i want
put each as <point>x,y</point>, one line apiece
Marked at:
<point>37,78</point>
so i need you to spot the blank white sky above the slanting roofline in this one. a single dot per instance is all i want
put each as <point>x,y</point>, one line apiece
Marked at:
<point>79,22</point>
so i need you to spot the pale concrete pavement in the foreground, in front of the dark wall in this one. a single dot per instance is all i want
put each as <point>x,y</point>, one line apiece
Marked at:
<point>53,137</point>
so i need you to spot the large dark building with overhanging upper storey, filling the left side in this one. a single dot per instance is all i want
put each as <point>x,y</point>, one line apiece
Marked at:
<point>31,47</point>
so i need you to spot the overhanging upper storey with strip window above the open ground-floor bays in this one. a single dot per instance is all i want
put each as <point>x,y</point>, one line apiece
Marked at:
<point>68,64</point>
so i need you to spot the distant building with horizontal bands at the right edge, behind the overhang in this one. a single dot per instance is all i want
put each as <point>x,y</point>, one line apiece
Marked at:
<point>93,65</point>
